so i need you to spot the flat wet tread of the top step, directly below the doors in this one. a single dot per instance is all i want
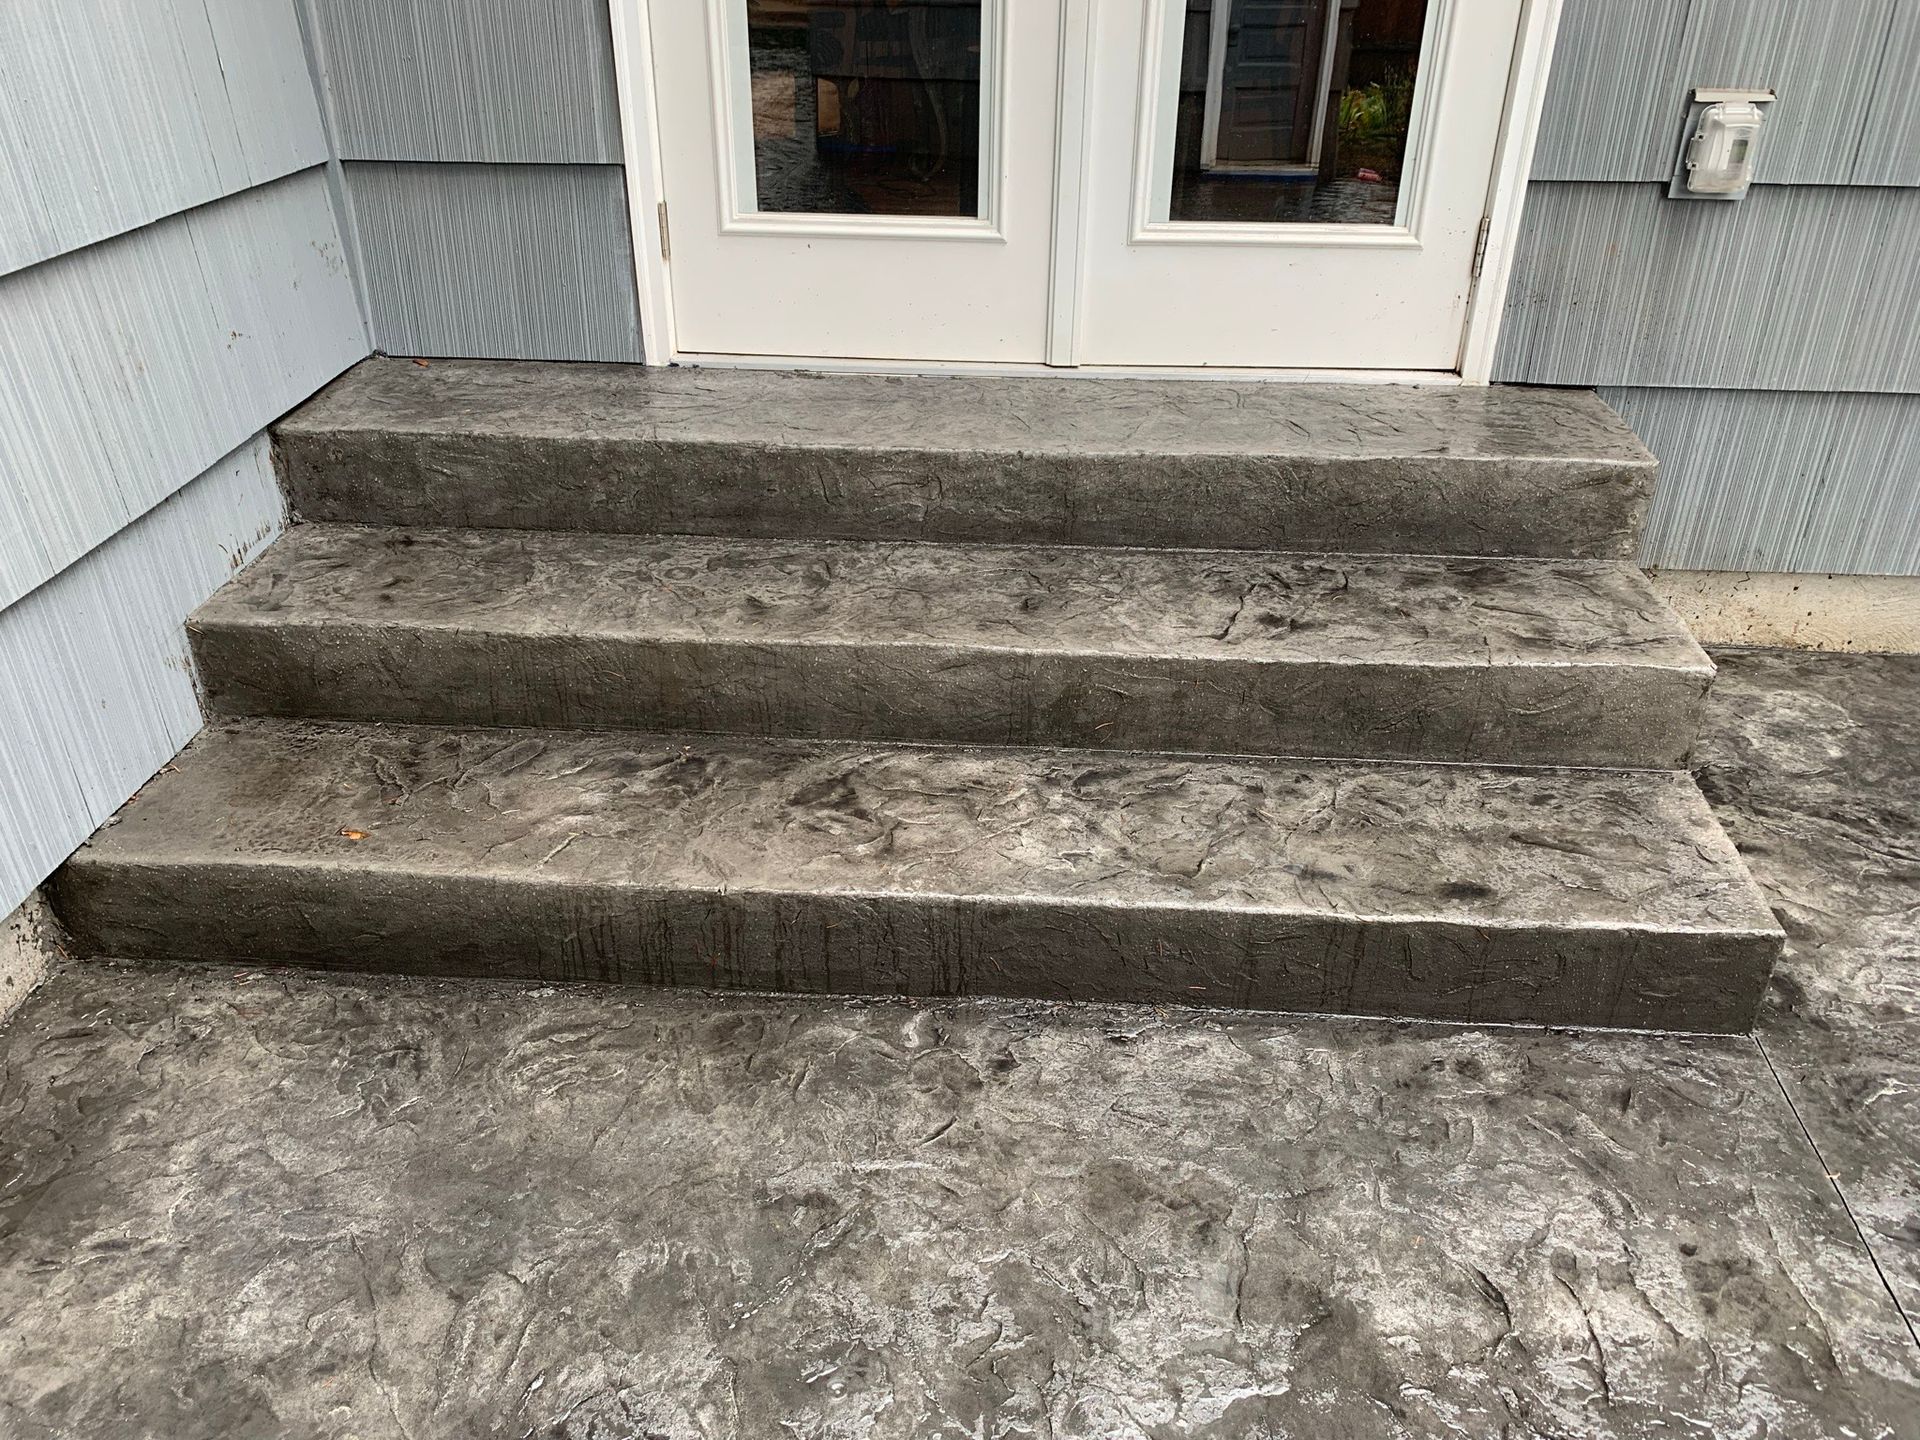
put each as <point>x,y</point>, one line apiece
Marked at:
<point>1080,418</point>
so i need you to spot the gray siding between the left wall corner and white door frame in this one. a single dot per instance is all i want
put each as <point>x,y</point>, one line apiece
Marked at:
<point>481,147</point>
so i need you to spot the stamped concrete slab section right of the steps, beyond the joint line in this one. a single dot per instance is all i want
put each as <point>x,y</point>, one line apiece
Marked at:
<point>1813,765</point>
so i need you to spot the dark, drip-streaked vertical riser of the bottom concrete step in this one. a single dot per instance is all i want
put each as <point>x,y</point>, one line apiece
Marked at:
<point>339,919</point>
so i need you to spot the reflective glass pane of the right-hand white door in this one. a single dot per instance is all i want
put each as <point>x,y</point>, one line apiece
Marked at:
<point>1295,110</point>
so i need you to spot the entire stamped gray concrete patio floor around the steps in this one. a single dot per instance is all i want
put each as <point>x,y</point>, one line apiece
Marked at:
<point>245,1205</point>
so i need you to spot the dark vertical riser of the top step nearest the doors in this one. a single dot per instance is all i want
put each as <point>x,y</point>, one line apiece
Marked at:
<point>1431,506</point>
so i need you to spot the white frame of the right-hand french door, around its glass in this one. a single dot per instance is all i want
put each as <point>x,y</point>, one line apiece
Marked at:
<point>1374,274</point>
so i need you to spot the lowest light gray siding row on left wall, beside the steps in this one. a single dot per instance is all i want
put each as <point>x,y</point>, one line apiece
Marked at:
<point>97,686</point>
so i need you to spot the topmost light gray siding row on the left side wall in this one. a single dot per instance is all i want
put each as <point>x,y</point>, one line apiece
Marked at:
<point>118,114</point>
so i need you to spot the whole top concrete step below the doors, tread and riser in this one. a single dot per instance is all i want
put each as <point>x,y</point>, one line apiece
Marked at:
<point>1443,471</point>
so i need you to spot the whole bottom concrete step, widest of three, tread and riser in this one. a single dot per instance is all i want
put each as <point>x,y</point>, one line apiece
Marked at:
<point>1435,892</point>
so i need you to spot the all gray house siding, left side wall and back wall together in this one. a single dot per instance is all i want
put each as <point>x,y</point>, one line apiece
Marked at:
<point>216,206</point>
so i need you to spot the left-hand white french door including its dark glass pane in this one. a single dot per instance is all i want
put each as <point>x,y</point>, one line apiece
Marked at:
<point>802,226</point>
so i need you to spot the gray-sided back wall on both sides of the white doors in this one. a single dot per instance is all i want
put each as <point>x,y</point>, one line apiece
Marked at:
<point>483,160</point>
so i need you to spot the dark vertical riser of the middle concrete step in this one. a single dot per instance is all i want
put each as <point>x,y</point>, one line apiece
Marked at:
<point>1502,715</point>
